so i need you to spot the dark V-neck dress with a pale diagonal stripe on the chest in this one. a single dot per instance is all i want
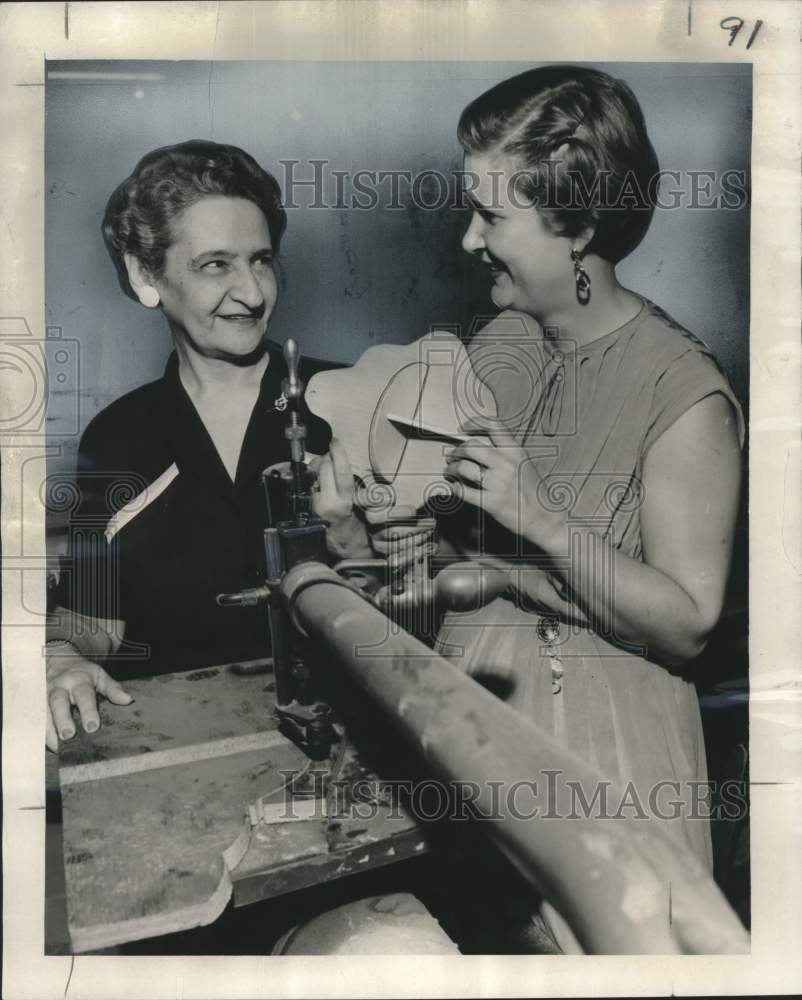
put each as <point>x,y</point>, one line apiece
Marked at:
<point>161,529</point>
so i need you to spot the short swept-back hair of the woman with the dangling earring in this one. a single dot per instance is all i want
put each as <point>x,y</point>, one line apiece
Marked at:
<point>578,139</point>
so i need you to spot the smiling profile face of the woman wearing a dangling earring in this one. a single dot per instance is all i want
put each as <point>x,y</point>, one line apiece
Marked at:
<point>530,266</point>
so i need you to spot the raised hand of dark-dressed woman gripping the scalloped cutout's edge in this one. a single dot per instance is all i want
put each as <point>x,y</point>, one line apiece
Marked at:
<point>333,502</point>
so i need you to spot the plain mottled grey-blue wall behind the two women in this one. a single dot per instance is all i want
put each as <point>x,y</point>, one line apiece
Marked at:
<point>352,277</point>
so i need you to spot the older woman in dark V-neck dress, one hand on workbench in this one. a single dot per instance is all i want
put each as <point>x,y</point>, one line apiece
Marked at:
<point>193,232</point>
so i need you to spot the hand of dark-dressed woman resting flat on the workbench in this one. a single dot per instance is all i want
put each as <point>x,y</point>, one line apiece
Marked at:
<point>73,680</point>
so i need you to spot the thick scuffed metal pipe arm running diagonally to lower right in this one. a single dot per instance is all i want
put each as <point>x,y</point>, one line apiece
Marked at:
<point>624,886</point>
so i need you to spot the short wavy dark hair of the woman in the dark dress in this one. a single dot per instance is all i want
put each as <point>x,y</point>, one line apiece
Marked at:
<point>170,179</point>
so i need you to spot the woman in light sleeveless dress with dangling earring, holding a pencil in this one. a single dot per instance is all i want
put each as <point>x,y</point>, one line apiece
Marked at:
<point>613,479</point>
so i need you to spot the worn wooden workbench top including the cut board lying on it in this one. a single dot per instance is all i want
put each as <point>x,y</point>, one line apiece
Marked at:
<point>156,827</point>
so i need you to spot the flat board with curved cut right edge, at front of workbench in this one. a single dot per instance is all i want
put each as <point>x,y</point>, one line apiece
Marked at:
<point>151,852</point>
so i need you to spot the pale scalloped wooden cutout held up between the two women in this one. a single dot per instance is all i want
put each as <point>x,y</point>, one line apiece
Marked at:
<point>431,384</point>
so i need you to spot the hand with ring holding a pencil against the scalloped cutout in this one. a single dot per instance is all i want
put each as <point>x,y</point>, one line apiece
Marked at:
<point>499,476</point>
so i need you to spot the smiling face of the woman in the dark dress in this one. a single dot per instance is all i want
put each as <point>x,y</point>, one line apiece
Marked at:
<point>218,288</point>
